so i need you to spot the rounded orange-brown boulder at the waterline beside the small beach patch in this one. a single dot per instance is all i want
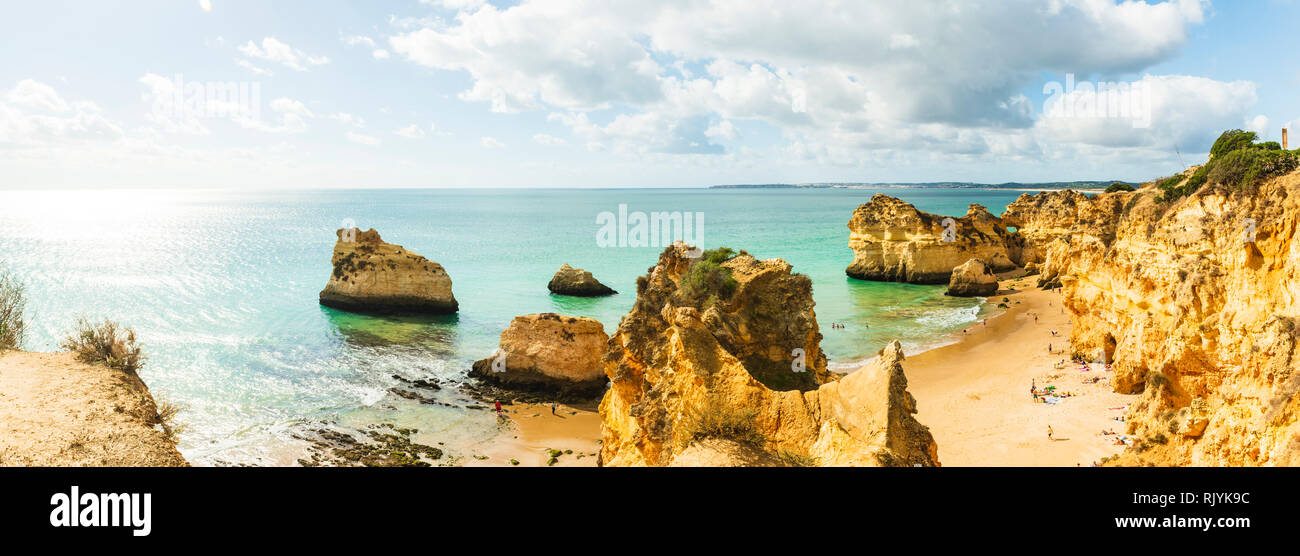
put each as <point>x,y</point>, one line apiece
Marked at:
<point>549,354</point>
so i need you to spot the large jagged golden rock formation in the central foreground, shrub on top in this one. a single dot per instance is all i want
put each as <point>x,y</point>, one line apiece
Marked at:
<point>716,379</point>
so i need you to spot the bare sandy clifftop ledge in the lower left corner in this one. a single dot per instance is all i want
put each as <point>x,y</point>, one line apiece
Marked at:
<point>59,412</point>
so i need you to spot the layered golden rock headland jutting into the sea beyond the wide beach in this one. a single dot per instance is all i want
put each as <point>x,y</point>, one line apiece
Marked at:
<point>895,242</point>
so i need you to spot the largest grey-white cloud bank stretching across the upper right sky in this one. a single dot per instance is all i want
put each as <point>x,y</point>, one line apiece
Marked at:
<point>840,81</point>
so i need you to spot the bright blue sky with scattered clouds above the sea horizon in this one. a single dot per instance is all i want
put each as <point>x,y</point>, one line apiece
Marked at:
<point>632,94</point>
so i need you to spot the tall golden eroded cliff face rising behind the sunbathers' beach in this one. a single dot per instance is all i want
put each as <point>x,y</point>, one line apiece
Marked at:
<point>1197,319</point>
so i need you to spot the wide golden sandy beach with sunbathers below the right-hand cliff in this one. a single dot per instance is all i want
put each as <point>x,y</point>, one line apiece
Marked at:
<point>976,394</point>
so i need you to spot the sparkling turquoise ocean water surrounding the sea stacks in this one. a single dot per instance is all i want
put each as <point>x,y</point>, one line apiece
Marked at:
<point>222,288</point>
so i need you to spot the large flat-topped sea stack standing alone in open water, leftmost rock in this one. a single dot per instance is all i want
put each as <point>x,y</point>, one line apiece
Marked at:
<point>372,276</point>
